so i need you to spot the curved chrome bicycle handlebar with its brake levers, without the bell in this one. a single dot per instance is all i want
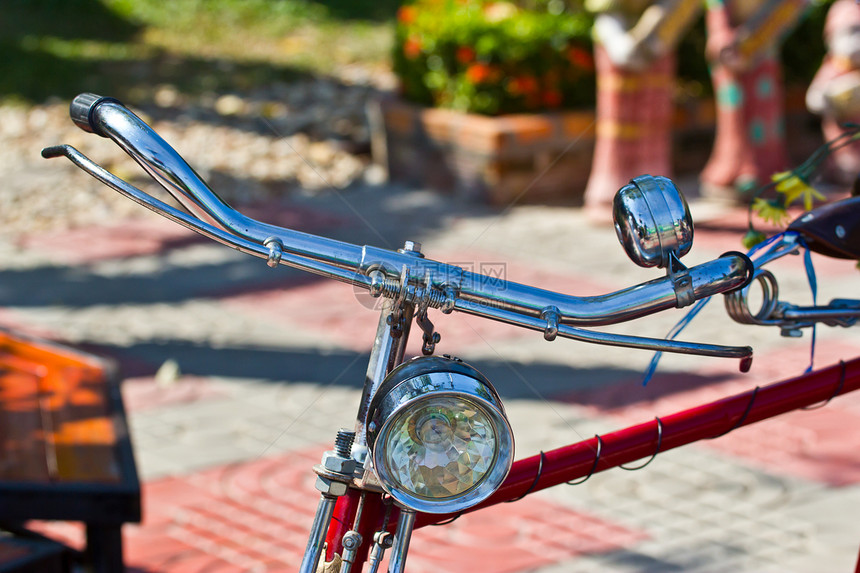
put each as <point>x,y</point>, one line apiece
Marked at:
<point>403,274</point>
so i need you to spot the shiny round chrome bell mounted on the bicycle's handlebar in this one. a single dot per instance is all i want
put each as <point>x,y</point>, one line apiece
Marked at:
<point>652,221</point>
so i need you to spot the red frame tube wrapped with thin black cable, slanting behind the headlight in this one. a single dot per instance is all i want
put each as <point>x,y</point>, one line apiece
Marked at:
<point>710,420</point>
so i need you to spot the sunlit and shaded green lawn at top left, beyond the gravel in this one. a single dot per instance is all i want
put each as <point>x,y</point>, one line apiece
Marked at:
<point>59,48</point>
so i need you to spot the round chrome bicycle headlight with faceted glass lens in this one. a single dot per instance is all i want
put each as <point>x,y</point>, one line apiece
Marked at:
<point>438,435</point>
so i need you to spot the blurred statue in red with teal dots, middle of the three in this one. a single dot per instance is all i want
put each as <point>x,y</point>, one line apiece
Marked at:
<point>742,49</point>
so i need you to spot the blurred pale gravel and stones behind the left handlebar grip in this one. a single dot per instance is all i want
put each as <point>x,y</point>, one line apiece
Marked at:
<point>309,135</point>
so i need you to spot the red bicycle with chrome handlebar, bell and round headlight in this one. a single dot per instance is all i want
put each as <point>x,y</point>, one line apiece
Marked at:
<point>371,497</point>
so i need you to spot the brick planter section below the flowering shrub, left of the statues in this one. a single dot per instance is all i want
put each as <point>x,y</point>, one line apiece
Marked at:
<point>500,160</point>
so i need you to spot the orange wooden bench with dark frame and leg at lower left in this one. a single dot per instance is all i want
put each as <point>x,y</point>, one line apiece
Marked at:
<point>65,452</point>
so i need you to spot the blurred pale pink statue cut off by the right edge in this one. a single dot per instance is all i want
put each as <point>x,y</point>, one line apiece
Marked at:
<point>834,93</point>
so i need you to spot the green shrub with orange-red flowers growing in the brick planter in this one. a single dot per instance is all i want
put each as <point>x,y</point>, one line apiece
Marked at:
<point>494,57</point>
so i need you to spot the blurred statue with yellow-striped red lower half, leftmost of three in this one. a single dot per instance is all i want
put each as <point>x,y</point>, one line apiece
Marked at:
<point>635,62</point>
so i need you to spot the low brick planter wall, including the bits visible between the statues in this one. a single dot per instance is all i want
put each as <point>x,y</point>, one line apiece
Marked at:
<point>530,158</point>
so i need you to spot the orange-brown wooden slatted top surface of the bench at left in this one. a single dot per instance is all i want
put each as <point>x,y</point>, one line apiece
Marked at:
<point>56,422</point>
